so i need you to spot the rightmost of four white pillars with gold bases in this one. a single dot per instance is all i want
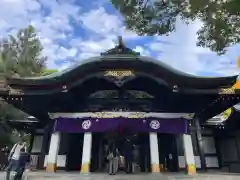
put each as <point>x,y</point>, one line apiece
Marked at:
<point>189,155</point>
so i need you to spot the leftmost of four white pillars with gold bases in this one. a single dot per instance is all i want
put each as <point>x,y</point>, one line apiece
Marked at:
<point>53,152</point>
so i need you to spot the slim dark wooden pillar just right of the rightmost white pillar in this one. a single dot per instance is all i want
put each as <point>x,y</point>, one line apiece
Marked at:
<point>200,144</point>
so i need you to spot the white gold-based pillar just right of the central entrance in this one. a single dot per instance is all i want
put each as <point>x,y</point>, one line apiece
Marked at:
<point>154,153</point>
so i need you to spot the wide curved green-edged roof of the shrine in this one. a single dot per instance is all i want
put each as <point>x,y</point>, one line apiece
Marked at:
<point>121,56</point>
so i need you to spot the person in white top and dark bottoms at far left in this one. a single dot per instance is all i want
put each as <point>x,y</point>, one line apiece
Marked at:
<point>13,158</point>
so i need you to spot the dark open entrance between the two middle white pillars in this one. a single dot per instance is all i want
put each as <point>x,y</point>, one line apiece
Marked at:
<point>139,150</point>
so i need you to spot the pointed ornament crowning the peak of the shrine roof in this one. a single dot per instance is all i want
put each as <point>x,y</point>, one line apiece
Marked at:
<point>120,49</point>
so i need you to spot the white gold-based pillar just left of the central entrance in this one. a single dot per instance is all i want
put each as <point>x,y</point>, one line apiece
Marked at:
<point>86,154</point>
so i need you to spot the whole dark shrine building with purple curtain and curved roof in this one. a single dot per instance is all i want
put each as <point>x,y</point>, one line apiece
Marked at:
<point>122,96</point>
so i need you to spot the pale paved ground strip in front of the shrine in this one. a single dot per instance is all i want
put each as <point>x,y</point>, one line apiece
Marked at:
<point>170,176</point>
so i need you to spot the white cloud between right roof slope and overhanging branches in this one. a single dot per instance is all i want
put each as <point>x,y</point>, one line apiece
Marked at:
<point>180,51</point>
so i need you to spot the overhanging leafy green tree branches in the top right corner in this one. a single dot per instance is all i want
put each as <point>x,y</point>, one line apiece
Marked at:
<point>221,27</point>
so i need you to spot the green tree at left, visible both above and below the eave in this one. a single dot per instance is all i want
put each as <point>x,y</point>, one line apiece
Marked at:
<point>20,56</point>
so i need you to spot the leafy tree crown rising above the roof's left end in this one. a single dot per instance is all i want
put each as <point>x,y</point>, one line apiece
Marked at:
<point>21,55</point>
